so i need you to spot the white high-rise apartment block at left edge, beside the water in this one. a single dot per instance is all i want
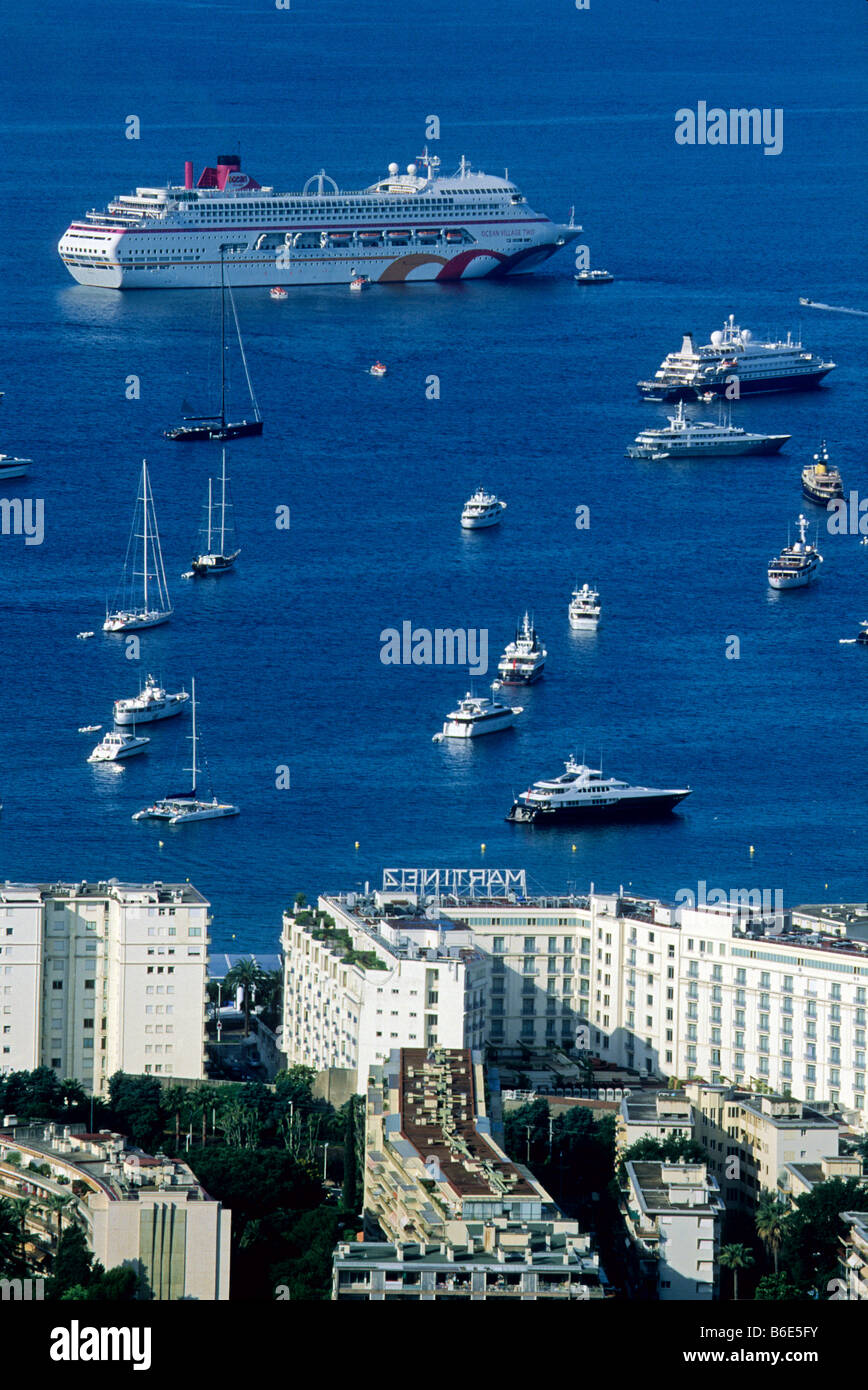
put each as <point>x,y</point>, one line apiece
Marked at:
<point>104,978</point>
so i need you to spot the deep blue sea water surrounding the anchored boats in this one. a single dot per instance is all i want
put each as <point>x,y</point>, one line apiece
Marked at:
<point>538,401</point>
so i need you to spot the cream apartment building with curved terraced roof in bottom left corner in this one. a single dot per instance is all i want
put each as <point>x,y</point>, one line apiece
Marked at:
<point>148,1213</point>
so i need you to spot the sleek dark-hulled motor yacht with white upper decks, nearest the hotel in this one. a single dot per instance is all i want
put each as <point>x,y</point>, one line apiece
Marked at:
<point>582,793</point>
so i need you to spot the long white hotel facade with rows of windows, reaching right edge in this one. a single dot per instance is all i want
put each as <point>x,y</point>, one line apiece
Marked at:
<point>707,993</point>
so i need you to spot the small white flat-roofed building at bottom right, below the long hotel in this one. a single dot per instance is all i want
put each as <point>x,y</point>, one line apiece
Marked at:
<point>674,1214</point>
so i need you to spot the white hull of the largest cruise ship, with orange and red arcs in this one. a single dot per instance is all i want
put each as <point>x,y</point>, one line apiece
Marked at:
<point>184,259</point>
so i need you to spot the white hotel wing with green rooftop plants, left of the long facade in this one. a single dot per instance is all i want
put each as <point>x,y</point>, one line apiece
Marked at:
<point>378,982</point>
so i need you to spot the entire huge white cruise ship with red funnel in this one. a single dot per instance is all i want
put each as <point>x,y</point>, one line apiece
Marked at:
<point>418,226</point>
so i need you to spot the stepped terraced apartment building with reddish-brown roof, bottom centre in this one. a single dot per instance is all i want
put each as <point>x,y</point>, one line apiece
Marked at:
<point>449,1213</point>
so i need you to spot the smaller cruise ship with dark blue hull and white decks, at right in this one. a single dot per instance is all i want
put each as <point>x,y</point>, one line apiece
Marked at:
<point>760,366</point>
